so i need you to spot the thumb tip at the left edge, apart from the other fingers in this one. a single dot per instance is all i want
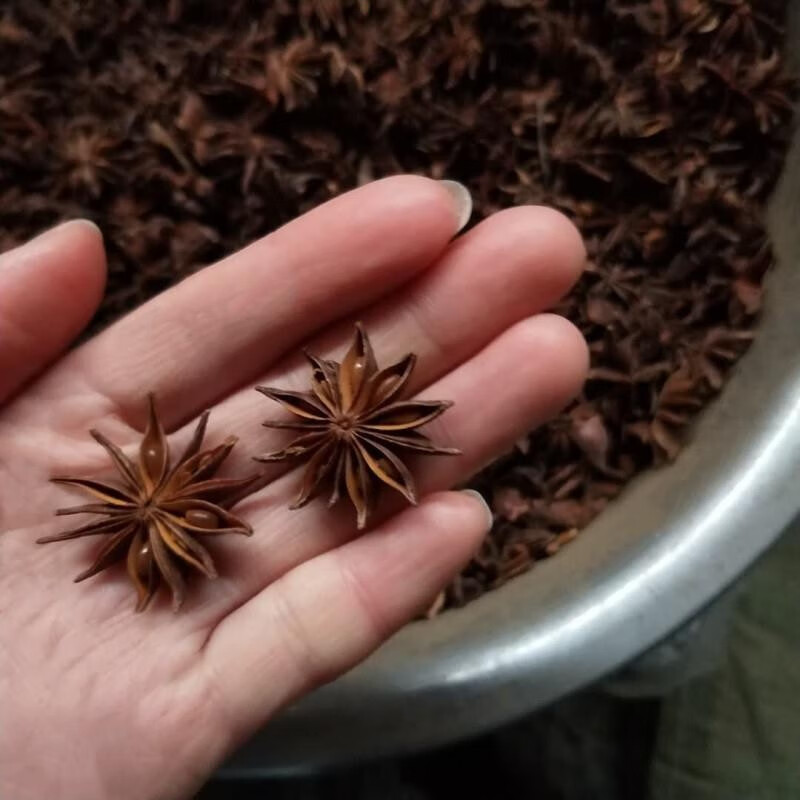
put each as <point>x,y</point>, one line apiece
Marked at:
<point>49,289</point>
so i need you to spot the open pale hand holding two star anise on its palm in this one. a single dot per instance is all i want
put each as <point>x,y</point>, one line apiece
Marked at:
<point>99,702</point>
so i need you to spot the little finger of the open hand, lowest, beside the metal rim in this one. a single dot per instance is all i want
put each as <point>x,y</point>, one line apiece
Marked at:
<point>331,612</point>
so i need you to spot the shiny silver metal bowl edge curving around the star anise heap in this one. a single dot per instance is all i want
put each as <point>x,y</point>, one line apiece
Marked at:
<point>674,540</point>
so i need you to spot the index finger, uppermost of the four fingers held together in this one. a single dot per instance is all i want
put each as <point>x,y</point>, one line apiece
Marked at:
<point>222,326</point>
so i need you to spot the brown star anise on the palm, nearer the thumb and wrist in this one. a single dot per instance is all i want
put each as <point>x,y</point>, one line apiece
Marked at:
<point>156,516</point>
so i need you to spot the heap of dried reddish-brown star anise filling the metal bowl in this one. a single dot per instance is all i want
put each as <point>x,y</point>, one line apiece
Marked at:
<point>187,129</point>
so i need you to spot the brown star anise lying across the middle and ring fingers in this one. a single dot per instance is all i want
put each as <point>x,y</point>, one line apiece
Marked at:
<point>351,422</point>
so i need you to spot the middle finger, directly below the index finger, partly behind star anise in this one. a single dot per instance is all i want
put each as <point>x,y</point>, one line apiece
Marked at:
<point>513,265</point>
